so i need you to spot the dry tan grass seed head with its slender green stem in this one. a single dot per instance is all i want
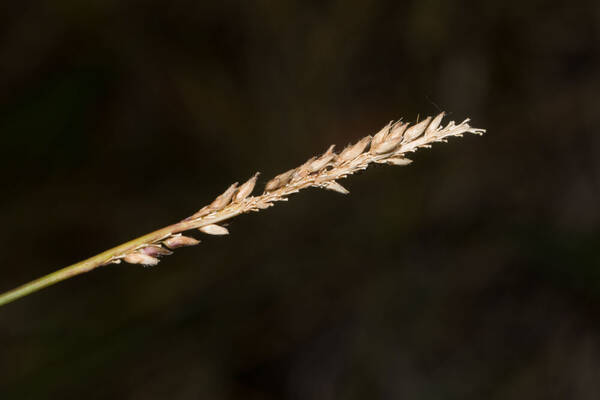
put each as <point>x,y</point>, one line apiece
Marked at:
<point>388,146</point>
